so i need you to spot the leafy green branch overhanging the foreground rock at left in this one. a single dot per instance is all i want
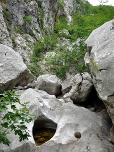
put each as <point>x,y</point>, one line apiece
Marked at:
<point>14,119</point>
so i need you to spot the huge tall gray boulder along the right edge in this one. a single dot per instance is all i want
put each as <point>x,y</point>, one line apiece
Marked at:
<point>100,61</point>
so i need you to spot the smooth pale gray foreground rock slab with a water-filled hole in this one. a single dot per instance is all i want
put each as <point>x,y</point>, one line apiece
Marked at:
<point>78,129</point>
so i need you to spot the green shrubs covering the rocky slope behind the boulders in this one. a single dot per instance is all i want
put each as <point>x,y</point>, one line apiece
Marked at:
<point>85,20</point>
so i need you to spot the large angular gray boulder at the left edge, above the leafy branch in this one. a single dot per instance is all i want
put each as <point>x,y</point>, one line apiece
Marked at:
<point>12,69</point>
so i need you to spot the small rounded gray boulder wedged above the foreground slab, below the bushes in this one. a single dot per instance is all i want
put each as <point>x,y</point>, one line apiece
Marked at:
<point>49,83</point>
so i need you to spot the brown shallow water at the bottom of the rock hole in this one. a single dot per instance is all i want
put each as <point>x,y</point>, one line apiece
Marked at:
<point>43,135</point>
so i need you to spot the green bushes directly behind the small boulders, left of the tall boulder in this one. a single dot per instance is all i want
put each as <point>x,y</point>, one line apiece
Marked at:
<point>65,61</point>
